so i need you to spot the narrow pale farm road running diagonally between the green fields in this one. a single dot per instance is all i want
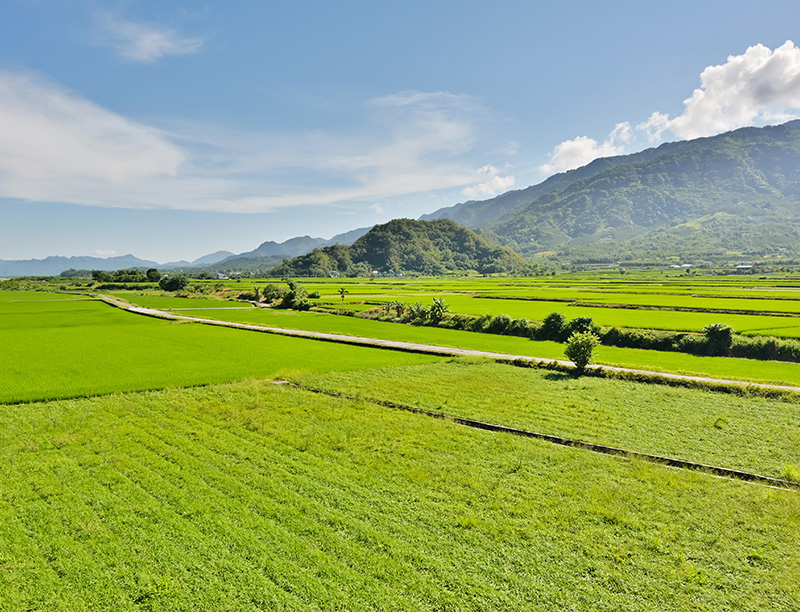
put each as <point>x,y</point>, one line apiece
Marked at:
<point>431,349</point>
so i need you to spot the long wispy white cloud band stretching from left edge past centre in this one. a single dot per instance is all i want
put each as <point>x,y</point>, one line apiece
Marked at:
<point>57,146</point>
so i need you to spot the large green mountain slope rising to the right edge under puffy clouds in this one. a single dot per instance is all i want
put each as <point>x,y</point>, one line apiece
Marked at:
<point>738,191</point>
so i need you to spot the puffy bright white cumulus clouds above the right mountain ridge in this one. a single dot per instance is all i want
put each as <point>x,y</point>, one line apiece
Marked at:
<point>757,87</point>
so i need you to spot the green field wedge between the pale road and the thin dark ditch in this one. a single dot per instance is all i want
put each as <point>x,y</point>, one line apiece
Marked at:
<point>745,433</point>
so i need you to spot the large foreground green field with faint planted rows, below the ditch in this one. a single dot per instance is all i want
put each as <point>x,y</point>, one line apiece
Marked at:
<point>251,496</point>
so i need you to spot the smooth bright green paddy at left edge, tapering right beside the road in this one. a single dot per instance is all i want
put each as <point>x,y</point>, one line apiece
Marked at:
<point>68,348</point>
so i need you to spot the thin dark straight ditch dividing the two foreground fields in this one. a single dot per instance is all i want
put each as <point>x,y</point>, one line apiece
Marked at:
<point>603,449</point>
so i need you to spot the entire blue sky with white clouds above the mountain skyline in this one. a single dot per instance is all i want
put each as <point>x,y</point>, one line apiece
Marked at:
<point>171,130</point>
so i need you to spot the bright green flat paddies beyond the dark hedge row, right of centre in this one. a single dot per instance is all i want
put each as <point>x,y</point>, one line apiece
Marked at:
<point>751,306</point>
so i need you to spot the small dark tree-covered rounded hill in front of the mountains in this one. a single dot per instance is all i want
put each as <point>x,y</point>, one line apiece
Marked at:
<point>405,245</point>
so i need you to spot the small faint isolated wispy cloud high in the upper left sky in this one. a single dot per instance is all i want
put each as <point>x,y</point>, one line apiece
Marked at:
<point>143,42</point>
